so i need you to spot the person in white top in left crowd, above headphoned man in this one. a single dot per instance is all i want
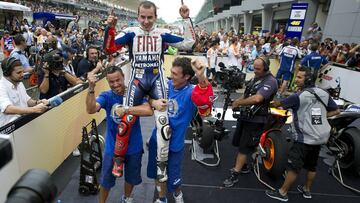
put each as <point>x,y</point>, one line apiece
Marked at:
<point>19,52</point>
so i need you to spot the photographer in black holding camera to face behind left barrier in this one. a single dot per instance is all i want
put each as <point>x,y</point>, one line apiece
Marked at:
<point>53,79</point>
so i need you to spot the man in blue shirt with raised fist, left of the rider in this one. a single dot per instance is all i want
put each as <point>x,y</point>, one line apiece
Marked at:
<point>107,100</point>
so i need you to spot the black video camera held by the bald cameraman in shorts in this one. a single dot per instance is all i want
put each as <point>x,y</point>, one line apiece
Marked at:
<point>230,78</point>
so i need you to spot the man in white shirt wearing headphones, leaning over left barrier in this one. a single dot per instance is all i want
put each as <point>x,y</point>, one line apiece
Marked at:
<point>14,101</point>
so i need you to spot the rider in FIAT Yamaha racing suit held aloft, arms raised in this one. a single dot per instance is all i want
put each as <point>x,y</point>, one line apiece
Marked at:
<point>146,51</point>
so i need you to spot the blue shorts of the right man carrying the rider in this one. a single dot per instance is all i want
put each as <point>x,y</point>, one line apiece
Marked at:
<point>173,168</point>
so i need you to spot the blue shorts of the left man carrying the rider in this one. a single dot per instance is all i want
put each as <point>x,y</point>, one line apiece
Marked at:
<point>132,170</point>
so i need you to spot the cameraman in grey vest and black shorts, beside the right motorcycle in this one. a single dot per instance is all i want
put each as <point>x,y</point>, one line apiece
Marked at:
<point>311,107</point>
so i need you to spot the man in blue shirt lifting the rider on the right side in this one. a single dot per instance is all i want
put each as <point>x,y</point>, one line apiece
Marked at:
<point>184,101</point>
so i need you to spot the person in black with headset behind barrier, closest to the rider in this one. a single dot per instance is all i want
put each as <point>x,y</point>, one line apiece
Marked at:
<point>90,63</point>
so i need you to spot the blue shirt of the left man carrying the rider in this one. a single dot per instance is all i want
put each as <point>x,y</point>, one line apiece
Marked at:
<point>107,100</point>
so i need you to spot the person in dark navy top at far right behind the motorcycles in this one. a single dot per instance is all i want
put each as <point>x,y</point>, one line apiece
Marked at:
<point>314,60</point>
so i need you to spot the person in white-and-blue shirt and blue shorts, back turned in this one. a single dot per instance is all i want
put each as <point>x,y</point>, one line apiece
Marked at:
<point>288,56</point>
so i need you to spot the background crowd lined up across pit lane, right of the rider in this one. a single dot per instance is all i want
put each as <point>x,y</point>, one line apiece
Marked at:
<point>246,47</point>
